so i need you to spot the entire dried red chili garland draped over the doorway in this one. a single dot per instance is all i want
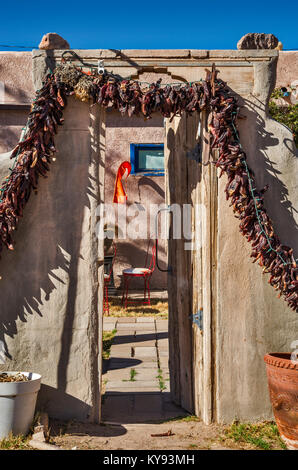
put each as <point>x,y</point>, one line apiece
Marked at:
<point>35,152</point>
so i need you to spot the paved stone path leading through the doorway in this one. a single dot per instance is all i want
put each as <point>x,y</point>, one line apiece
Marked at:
<point>136,382</point>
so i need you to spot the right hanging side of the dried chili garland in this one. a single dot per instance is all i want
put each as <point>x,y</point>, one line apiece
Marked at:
<point>247,202</point>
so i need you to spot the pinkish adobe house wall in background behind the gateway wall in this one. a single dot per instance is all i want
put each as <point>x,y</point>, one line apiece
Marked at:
<point>16,74</point>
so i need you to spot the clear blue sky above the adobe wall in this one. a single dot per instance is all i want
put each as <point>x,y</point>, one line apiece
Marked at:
<point>147,24</point>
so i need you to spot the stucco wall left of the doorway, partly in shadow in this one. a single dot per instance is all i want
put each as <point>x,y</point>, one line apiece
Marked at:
<point>51,303</point>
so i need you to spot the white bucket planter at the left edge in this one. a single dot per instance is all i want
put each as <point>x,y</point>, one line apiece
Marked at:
<point>17,404</point>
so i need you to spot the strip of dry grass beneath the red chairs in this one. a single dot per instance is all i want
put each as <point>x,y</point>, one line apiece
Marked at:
<point>158,308</point>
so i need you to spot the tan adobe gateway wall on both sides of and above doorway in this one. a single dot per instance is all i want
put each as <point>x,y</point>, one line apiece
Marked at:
<point>50,316</point>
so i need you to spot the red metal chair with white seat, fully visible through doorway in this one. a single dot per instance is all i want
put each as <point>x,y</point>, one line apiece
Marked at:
<point>146,273</point>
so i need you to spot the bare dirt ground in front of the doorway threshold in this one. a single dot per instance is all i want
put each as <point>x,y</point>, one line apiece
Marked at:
<point>185,435</point>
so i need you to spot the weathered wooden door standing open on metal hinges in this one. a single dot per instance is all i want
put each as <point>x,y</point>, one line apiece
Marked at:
<point>189,182</point>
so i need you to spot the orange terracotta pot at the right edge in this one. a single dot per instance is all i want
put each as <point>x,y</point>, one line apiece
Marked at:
<point>282,376</point>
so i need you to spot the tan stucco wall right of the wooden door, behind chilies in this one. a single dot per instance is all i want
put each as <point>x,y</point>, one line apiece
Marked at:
<point>250,320</point>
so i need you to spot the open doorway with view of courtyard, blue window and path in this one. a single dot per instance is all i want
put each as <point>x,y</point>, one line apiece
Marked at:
<point>136,384</point>
